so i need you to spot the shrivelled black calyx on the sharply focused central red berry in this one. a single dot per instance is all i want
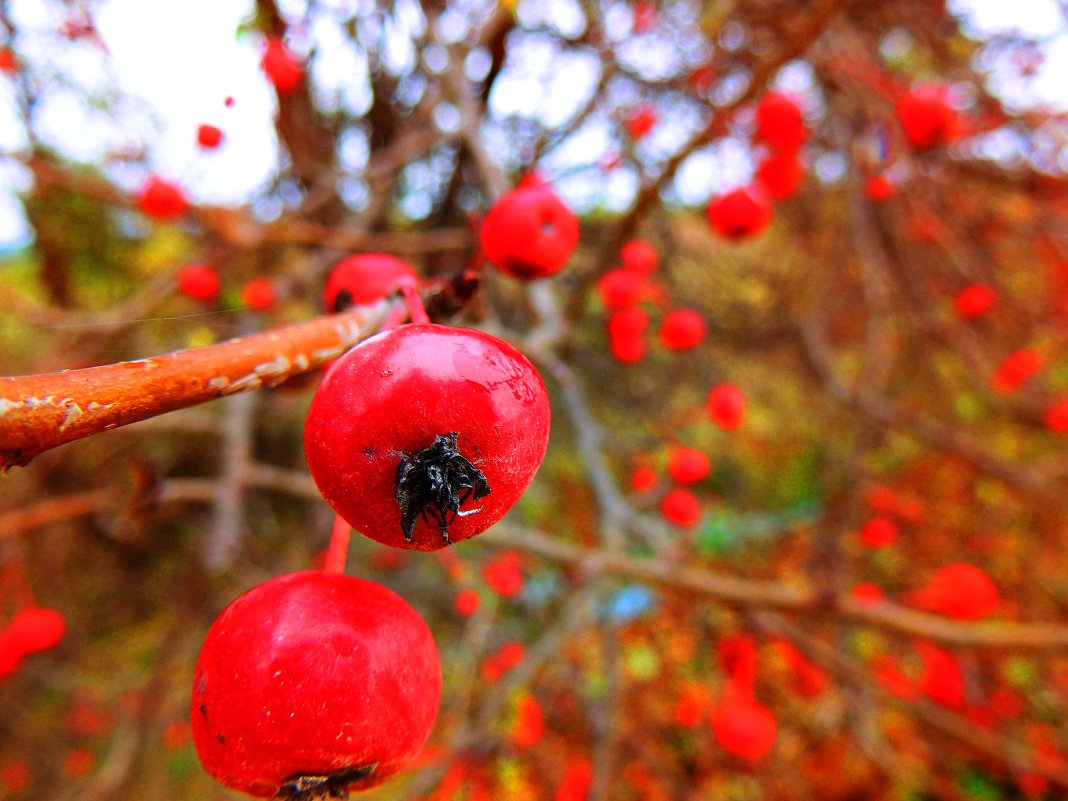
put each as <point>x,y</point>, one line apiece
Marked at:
<point>435,483</point>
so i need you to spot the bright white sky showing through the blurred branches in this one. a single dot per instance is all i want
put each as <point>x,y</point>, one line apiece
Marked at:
<point>179,61</point>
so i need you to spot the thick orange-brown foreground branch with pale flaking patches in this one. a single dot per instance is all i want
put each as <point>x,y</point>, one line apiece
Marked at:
<point>42,412</point>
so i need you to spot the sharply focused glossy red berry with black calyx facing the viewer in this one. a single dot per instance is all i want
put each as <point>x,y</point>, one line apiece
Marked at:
<point>390,399</point>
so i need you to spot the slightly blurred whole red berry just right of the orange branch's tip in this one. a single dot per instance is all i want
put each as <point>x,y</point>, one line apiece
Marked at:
<point>529,233</point>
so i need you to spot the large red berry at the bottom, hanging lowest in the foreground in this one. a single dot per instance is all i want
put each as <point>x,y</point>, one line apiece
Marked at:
<point>315,683</point>
